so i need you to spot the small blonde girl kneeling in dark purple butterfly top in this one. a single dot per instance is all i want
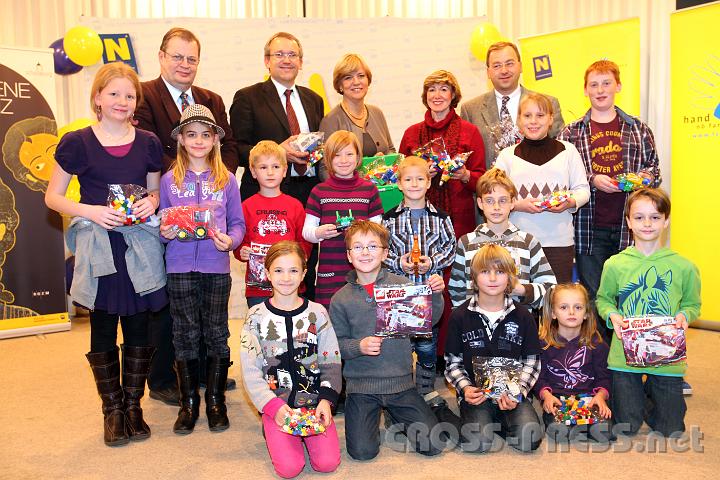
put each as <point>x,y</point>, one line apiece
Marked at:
<point>574,360</point>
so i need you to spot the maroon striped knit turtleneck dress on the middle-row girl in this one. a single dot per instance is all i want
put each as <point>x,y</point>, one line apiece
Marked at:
<point>338,196</point>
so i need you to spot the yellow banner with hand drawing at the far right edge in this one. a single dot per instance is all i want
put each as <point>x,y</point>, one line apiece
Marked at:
<point>695,80</point>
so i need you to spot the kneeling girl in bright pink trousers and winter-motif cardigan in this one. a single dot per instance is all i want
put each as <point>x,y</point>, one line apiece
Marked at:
<point>290,359</point>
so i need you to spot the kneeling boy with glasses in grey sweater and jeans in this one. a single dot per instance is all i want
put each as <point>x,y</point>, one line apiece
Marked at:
<point>378,371</point>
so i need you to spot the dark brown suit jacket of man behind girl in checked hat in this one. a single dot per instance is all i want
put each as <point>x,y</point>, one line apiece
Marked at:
<point>159,114</point>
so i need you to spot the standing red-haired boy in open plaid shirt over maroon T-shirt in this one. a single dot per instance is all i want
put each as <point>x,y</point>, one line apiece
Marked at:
<point>610,142</point>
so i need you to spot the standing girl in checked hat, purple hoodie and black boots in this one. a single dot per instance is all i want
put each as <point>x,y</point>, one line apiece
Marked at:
<point>199,271</point>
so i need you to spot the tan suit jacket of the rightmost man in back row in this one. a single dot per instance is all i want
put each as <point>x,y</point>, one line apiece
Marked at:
<point>483,113</point>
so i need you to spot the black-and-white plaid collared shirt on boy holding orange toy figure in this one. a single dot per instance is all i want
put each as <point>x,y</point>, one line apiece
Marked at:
<point>436,239</point>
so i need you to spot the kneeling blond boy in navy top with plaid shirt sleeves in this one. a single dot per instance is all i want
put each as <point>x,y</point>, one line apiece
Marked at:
<point>491,324</point>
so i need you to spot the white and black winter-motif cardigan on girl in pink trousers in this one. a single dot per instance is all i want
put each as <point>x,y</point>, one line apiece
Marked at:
<point>290,355</point>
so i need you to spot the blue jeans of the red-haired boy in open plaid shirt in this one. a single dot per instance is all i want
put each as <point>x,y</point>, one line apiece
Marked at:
<point>605,243</point>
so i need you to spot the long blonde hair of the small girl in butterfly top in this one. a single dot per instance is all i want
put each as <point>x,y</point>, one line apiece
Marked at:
<point>589,335</point>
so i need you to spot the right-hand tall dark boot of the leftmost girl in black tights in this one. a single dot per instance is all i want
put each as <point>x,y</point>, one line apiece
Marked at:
<point>136,365</point>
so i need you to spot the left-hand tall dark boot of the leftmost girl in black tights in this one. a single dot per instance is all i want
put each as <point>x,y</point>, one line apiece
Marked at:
<point>106,370</point>
